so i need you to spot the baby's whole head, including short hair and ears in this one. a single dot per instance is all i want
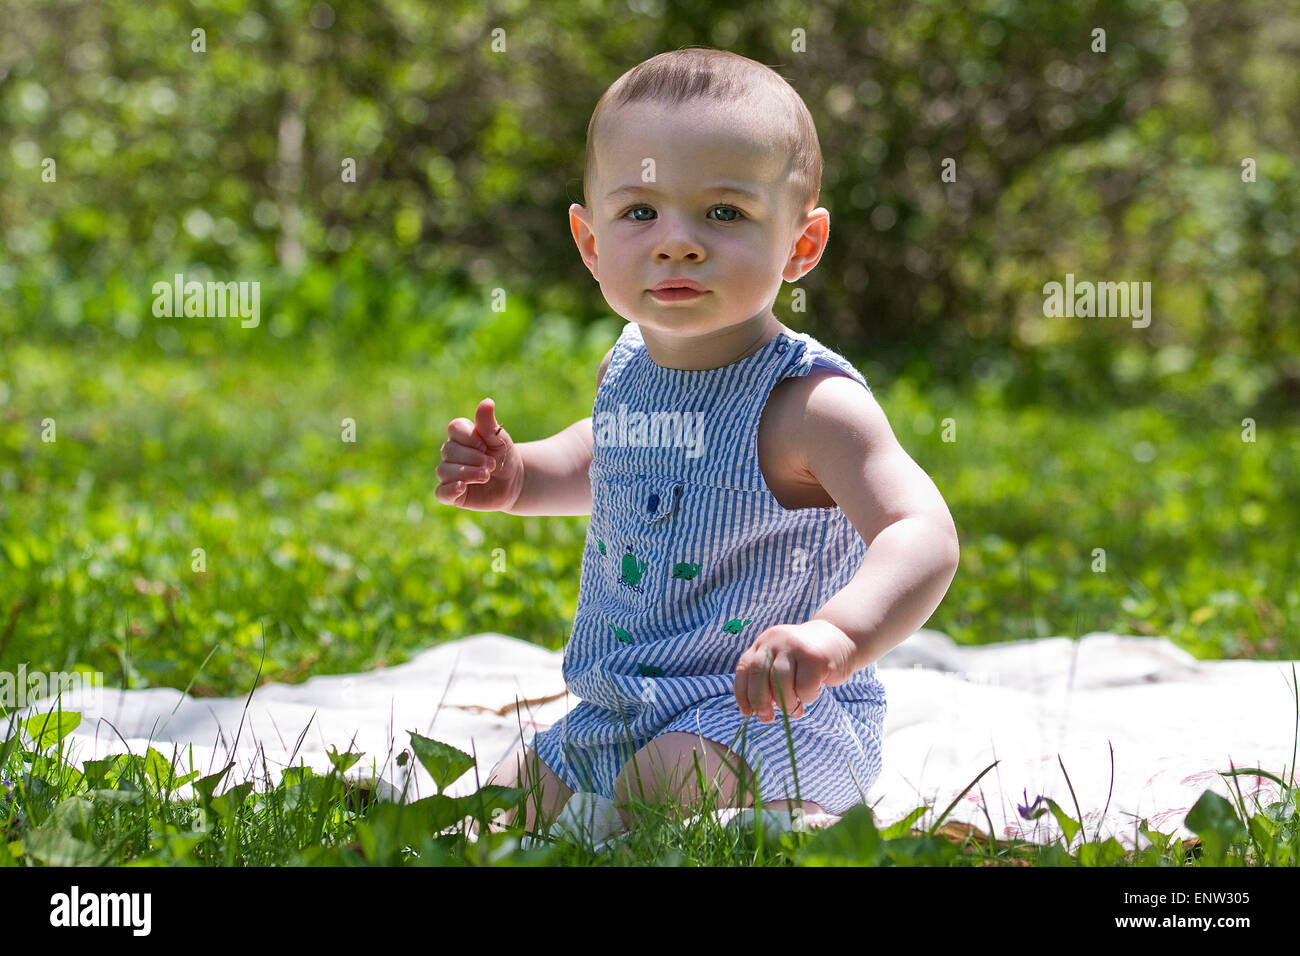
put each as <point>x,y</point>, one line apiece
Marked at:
<point>662,144</point>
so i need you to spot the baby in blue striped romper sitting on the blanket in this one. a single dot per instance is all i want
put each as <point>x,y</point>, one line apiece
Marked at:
<point>773,557</point>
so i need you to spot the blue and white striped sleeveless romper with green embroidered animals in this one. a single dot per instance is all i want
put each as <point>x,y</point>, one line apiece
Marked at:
<point>688,560</point>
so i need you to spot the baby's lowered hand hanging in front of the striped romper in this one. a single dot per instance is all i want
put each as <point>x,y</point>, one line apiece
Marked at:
<point>791,663</point>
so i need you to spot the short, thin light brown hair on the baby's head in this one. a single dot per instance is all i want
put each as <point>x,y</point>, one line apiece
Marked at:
<point>684,75</point>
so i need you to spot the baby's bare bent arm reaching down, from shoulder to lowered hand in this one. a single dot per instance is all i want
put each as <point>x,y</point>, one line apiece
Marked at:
<point>838,434</point>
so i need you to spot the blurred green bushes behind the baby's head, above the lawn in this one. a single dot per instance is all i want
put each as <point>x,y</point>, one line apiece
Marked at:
<point>1117,166</point>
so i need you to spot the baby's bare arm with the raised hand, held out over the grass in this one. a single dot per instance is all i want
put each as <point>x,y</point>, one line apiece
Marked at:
<point>553,473</point>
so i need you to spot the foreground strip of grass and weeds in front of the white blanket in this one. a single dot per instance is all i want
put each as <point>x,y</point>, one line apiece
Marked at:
<point>120,811</point>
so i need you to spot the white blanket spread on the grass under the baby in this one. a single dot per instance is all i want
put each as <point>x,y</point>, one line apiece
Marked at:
<point>952,711</point>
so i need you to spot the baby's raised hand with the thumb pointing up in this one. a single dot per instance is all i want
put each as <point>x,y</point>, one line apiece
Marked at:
<point>482,469</point>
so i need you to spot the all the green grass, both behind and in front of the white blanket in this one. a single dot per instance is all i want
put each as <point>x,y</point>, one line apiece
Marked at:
<point>341,556</point>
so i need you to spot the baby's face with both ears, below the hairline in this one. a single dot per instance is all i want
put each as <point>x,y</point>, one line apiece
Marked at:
<point>683,224</point>
